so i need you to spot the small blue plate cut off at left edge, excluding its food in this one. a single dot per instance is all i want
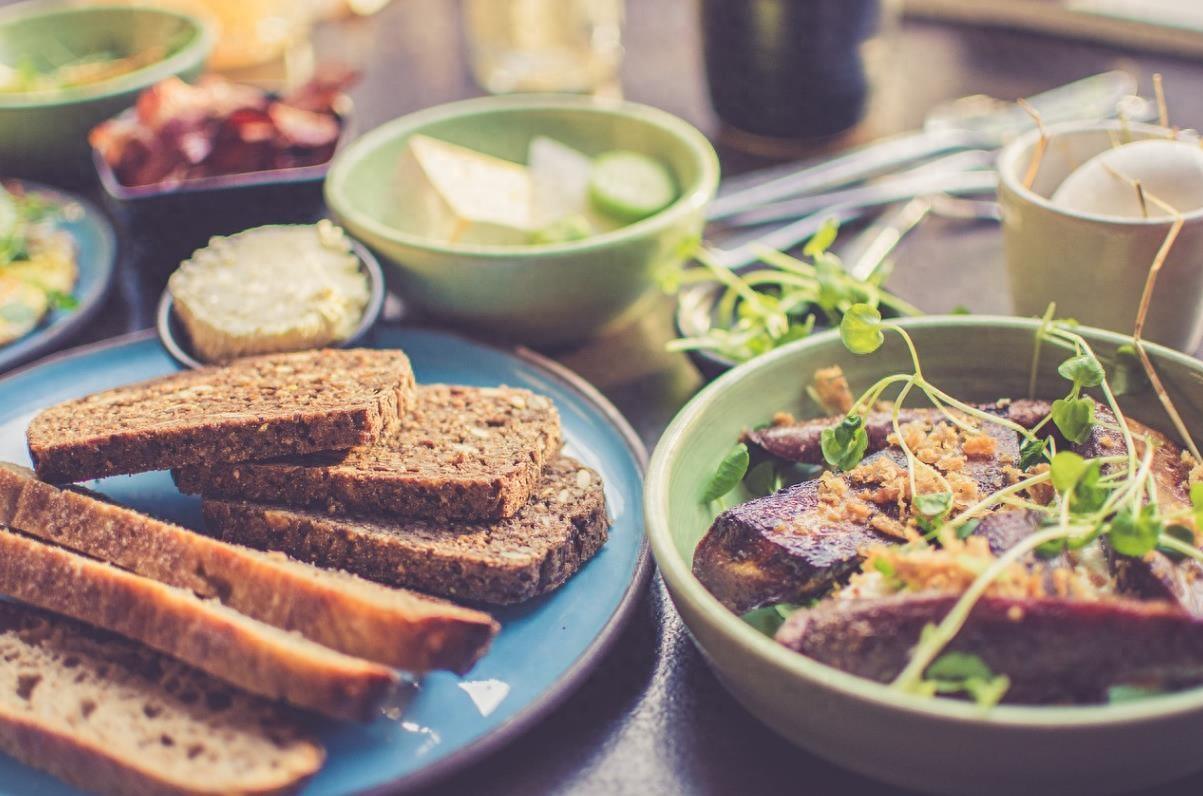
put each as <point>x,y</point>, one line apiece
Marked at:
<point>97,254</point>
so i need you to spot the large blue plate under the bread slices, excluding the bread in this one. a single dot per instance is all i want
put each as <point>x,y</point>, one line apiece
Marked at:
<point>546,648</point>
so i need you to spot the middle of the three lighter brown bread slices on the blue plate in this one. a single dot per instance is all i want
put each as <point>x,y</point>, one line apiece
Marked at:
<point>205,634</point>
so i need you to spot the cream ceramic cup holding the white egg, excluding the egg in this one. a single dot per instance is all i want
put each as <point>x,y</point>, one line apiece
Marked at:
<point>1094,266</point>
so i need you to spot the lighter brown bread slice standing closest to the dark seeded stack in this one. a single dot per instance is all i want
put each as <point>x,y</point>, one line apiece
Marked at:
<point>339,610</point>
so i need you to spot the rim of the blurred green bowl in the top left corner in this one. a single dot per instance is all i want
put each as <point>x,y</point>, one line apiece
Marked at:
<point>194,54</point>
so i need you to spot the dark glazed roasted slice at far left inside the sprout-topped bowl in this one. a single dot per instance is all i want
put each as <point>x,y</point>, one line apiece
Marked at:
<point>780,549</point>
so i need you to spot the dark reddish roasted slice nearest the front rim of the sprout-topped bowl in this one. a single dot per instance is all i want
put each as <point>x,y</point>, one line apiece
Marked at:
<point>1053,650</point>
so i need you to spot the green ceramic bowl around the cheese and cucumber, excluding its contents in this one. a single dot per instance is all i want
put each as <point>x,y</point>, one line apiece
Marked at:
<point>530,294</point>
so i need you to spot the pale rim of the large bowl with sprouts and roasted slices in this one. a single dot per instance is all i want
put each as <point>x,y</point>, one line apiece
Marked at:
<point>684,586</point>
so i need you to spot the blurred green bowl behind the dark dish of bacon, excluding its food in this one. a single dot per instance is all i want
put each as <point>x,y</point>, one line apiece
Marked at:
<point>46,135</point>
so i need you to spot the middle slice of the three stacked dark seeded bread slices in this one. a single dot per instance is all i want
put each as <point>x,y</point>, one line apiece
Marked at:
<point>461,454</point>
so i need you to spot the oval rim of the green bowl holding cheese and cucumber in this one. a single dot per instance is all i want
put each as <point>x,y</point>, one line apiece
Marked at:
<point>692,200</point>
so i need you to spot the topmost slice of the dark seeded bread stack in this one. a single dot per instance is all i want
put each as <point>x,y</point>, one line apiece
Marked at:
<point>257,408</point>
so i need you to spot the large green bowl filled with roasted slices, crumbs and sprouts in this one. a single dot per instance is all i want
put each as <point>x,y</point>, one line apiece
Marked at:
<point>982,598</point>
